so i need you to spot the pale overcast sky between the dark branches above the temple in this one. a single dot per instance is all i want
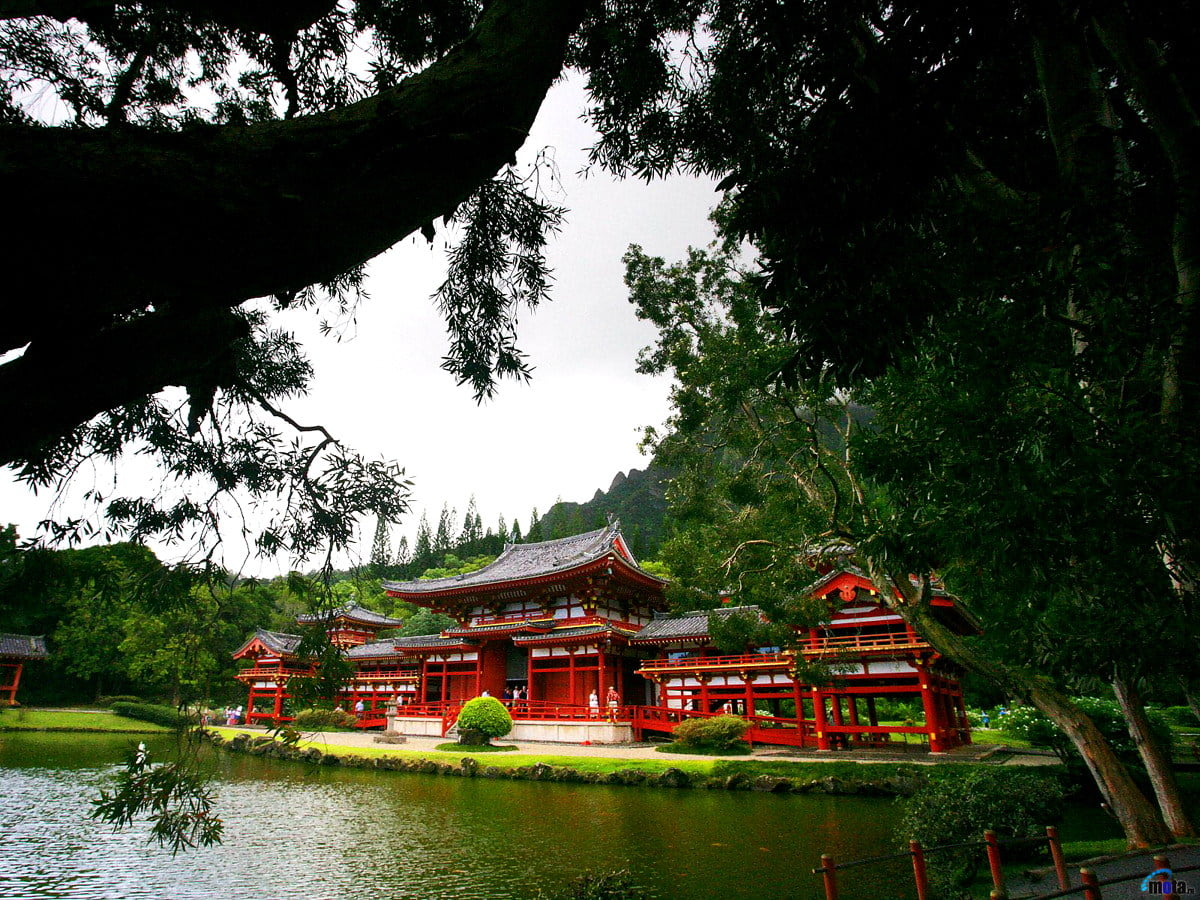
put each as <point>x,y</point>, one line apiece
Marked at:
<point>567,434</point>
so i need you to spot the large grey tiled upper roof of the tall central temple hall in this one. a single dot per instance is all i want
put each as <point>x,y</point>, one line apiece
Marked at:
<point>520,562</point>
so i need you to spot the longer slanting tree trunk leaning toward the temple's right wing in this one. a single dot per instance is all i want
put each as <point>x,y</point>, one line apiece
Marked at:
<point>1139,819</point>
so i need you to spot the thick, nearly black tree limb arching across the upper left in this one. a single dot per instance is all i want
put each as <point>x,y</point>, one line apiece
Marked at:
<point>154,225</point>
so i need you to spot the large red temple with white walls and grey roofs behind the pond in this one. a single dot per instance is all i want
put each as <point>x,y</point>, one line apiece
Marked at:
<point>574,637</point>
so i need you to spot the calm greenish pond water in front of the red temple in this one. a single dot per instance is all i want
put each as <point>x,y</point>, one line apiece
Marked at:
<point>296,831</point>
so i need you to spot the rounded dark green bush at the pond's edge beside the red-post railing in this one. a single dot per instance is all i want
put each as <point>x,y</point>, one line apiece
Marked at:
<point>1009,802</point>
